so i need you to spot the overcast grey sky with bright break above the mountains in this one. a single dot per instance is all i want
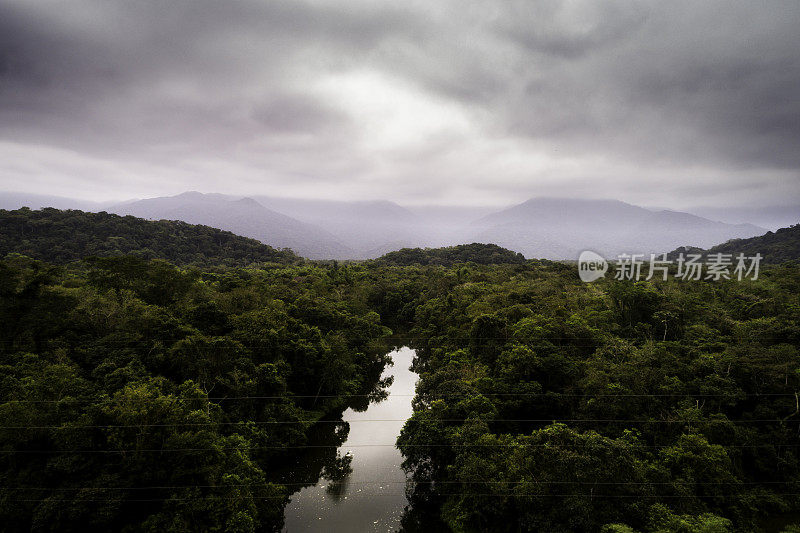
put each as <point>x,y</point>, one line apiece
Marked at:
<point>675,104</point>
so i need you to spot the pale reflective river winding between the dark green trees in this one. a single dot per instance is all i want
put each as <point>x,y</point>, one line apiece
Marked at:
<point>371,497</point>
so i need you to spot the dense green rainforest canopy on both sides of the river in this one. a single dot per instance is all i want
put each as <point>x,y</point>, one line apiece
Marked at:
<point>136,395</point>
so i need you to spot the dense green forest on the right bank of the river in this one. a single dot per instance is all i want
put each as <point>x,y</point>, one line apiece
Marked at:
<point>547,404</point>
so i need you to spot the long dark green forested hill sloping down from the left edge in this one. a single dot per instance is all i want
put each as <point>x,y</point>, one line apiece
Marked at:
<point>63,236</point>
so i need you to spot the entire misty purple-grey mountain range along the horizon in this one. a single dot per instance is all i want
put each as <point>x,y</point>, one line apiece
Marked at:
<point>542,227</point>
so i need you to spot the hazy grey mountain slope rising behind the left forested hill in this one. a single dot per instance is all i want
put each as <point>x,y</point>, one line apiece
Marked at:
<point>244,217</point>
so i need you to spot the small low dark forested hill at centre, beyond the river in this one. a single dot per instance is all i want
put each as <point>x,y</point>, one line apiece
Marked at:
<point>482,254</point>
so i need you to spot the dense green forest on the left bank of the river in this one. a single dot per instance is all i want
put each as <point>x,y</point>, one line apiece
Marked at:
<point>137,396</point>
